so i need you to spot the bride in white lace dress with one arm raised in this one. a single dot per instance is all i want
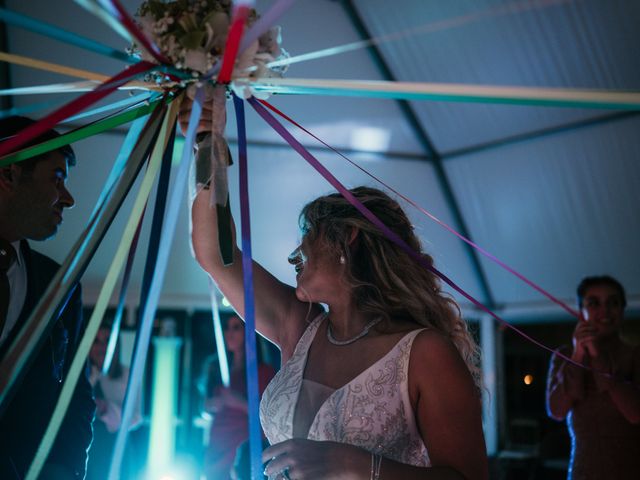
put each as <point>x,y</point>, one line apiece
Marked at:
<point>383,385</point>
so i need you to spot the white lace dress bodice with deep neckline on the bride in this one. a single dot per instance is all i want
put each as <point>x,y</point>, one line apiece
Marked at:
<point>372,411</point>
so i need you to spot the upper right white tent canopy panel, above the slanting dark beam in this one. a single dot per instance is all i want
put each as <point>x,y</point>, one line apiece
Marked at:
<point>561,43</point>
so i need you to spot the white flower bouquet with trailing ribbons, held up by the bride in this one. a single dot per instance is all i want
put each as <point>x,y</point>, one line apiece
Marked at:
<point>192,34</point>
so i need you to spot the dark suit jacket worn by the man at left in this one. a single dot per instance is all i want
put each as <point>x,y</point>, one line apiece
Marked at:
<point>25,419</point>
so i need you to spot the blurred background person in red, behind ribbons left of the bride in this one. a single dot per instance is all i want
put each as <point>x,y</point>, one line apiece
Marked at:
<point>228,406</point>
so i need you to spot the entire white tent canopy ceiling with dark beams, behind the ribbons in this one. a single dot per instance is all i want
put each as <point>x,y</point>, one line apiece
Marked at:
<point>550,191</point>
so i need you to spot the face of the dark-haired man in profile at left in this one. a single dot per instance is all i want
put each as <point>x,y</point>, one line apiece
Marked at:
<point>40,196</point>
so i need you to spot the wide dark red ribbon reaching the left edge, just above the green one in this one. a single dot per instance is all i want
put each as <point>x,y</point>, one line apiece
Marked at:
<point>73,107</point>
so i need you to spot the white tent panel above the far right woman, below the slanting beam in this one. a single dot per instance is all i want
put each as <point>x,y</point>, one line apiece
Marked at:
<point>556,209</point>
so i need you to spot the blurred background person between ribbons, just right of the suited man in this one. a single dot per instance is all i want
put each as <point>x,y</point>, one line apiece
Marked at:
<point>109,391</point>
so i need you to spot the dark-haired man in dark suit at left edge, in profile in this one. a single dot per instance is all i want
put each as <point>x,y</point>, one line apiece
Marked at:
<point>33,197</point>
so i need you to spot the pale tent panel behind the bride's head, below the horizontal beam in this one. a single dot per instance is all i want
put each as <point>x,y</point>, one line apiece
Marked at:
<point>280,184</point>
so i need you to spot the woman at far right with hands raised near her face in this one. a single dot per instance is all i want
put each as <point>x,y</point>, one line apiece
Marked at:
<point>601,402</point>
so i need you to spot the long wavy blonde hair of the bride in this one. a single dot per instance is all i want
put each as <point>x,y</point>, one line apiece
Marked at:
<point>386,281</point>
